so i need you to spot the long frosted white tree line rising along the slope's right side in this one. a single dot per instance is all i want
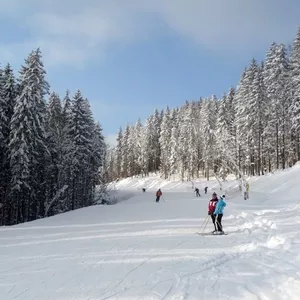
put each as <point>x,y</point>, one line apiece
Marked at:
<point>252,129</point>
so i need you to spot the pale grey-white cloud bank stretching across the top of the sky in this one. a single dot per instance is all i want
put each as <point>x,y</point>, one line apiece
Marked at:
<point>76,32</point>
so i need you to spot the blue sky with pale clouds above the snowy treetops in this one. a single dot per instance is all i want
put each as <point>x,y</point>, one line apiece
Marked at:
<point>130,57</point>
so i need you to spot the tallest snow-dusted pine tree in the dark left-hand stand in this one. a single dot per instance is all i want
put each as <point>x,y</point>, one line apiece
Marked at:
<point>27,143</point>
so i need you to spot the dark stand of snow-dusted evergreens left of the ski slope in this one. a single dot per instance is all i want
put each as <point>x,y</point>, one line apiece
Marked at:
<point>51,149</point>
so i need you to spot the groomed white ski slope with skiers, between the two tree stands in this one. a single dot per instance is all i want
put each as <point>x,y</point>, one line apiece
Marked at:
<point>139,249</point>
